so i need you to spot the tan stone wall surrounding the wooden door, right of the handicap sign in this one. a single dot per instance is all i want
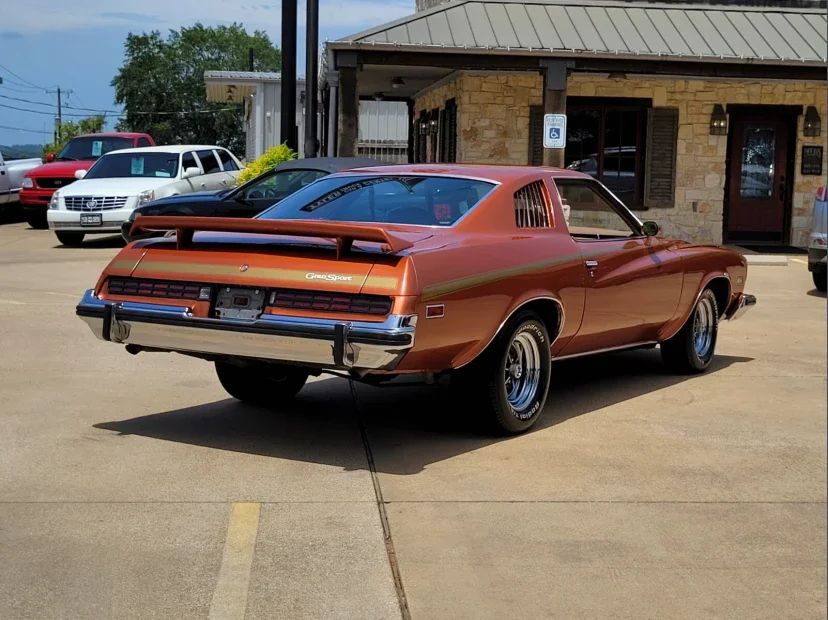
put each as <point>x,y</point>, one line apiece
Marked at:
<point>701,163</point>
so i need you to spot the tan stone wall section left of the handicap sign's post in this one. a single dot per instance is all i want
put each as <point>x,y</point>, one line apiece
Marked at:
<point>492,114</point>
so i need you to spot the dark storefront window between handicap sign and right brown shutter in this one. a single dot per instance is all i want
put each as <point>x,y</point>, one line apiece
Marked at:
<point>606,141</point>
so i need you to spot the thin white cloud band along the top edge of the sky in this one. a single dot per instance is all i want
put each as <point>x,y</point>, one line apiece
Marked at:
<point>43,16</point>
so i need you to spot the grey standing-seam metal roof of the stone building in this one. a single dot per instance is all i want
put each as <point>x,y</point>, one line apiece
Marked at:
<point>609,28</point>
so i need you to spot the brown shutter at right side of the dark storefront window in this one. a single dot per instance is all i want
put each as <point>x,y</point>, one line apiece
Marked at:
<point>660,167</point>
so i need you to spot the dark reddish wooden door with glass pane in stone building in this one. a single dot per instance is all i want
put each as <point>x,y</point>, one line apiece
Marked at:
<point>758,183</point>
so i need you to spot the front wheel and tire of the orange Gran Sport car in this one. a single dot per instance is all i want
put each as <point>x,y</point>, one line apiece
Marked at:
<point>692,348</point>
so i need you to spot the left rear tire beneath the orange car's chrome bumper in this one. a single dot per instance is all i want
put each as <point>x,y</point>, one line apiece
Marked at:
<point>262,385</point>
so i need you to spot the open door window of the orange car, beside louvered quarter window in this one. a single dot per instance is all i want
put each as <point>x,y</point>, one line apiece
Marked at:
<point>591,214</point>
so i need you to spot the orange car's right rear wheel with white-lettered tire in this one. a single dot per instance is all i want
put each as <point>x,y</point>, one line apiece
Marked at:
<point>509,382</point>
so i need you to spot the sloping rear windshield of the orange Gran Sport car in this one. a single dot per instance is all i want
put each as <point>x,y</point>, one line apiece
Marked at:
<point>422,200</point>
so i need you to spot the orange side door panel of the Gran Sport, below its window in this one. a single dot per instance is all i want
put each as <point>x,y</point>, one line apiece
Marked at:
<point>631,292</point>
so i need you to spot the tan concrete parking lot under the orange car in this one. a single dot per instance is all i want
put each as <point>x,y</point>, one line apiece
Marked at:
<point>133,487</point>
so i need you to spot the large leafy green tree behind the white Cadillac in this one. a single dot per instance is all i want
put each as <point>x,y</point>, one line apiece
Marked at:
<point>161,83</point>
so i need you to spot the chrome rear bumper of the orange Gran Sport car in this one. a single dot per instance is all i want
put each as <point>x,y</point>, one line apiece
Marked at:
<point>324,343</point>
